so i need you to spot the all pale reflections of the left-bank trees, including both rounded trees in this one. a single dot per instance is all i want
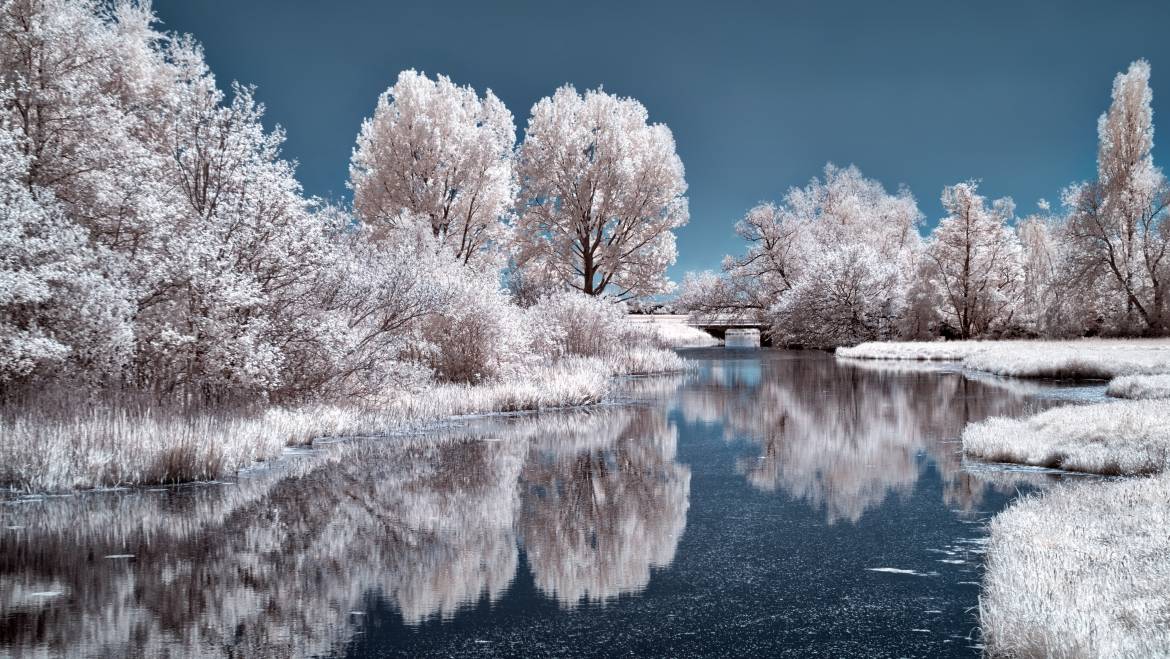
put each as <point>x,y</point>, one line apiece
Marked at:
<point>278,562</point>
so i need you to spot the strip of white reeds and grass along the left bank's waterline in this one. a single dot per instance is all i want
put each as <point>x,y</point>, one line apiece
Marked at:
<point>102,447</point>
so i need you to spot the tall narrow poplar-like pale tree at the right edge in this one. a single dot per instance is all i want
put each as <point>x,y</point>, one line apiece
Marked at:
<point>1119,223</point>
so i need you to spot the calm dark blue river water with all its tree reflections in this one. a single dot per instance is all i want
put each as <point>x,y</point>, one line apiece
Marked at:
<point>772,504</point>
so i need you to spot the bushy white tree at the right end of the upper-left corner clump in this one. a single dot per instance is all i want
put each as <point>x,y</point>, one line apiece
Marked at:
<point>237,262</point>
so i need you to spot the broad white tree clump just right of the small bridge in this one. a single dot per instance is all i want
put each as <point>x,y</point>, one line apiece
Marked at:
<point>828,266</point>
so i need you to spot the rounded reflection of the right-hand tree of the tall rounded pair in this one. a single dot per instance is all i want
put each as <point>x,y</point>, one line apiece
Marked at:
<point>595,521</point>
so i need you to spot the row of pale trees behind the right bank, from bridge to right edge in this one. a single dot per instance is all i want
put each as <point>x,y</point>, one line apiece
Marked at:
<point>842,260</point>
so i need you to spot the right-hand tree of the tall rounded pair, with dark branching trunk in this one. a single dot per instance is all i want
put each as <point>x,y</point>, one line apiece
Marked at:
<point>602,195</point>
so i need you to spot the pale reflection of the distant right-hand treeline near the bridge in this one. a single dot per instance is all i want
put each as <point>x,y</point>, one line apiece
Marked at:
<point>844,436</point>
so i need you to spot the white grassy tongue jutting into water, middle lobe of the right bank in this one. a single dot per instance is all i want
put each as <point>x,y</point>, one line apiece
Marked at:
<point>1125,437</point>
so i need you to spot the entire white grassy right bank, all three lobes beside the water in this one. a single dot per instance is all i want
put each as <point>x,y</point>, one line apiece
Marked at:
<point>1080,571</point>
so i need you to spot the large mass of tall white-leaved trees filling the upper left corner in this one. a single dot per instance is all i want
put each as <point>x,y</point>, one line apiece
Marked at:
<point>132,160</point>
